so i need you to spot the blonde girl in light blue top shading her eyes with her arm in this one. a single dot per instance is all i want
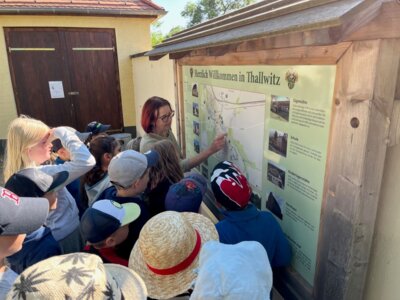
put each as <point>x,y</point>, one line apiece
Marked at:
<point>29,145</point>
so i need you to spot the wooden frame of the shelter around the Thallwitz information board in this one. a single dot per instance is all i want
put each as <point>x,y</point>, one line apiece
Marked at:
<point>364,44</point>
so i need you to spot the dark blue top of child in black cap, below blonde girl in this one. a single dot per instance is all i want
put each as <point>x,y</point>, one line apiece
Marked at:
<point>36,247</point>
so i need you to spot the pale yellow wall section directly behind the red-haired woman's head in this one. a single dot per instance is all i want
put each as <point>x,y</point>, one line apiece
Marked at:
<point>153,78</point>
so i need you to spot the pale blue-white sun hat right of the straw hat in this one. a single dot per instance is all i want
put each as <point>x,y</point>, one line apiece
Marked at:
<point>235,272</point>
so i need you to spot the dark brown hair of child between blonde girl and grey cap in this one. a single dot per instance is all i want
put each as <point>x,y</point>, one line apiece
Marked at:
<point>100,145</point>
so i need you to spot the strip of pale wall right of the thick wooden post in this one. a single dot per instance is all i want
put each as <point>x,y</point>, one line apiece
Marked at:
<point>384,269</point>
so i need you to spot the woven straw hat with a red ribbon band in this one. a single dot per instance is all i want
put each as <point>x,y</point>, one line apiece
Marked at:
<point>167,251</point>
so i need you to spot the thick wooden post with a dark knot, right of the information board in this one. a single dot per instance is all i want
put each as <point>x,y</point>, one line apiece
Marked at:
<point>365,88</point>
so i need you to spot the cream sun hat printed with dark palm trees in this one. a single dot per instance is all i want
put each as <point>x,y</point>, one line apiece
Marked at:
<point>77,276</point>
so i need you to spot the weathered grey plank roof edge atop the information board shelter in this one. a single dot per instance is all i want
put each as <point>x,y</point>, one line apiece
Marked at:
<point>316,18</point>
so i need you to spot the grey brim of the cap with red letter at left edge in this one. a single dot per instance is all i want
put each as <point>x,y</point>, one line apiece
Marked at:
<point>32,213</point>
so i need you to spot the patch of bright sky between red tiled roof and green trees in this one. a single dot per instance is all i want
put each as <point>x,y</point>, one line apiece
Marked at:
<point>173,17</point>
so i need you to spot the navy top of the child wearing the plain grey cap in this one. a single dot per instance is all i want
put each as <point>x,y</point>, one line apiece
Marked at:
<point>124,249</point>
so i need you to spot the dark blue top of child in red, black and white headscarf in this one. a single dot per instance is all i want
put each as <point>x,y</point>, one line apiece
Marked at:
<point>251,224</point>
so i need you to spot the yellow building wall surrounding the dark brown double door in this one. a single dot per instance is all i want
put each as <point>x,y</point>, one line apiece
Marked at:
<point>132,34</point>
